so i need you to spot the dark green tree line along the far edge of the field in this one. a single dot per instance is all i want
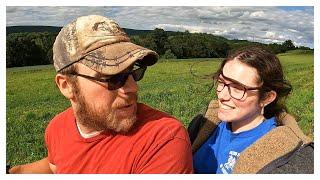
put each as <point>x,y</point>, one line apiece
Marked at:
<point>35,48</point>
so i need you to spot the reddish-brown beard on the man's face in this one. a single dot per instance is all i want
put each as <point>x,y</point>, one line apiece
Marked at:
<point>103,119</point>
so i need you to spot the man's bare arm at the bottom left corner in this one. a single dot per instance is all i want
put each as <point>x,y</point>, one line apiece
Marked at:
<point>39,167</point>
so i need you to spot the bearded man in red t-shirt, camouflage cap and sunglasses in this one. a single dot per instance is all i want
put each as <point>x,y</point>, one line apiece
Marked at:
<point>105,130</point>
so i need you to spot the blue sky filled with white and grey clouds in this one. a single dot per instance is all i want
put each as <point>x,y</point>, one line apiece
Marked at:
<point>266,24</point>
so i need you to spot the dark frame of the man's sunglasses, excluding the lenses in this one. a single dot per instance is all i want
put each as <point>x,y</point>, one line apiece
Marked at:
<point>106,81</point>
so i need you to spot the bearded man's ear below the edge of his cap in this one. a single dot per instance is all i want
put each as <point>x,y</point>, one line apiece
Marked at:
<point>64,86</point>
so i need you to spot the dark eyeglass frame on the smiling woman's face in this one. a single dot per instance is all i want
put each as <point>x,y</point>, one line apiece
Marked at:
<point>246,88</point>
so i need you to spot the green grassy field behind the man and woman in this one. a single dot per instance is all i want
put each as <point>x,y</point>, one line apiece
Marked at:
<point>33,99</point>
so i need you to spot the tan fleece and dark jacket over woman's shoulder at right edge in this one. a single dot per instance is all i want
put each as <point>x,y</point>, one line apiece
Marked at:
<point>281,149</point>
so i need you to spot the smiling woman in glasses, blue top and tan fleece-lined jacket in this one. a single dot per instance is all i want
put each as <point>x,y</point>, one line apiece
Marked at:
<point>247,130</point>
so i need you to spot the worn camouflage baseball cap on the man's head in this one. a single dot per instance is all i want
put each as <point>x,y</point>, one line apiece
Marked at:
<point>100,44</point>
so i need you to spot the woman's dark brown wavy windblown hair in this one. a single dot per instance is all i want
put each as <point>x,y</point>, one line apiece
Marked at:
<point>270,74</point>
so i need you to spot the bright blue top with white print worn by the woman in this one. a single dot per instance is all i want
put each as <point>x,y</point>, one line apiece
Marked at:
<point>220,152</point>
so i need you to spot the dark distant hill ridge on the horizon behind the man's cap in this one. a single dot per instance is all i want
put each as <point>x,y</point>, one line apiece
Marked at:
<point>55,29</point>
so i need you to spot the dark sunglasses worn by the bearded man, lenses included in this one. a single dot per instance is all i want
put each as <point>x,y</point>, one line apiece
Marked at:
<point>117,81</point>
